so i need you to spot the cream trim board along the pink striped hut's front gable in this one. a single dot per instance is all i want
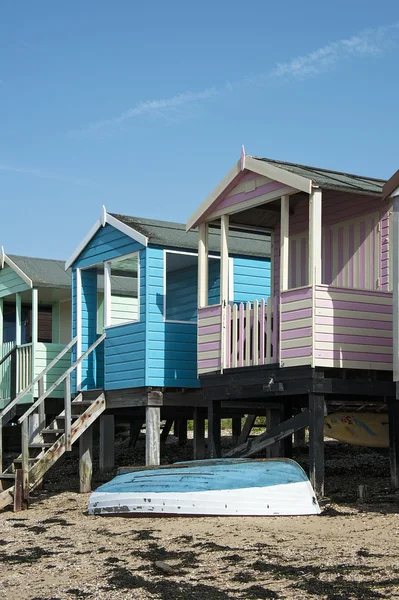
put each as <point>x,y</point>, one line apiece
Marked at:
<point>249,163</point>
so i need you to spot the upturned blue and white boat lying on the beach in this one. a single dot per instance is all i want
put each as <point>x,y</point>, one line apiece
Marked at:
<point>185,490</point>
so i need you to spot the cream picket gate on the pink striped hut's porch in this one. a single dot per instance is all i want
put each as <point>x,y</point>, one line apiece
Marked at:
<point>251,333</point>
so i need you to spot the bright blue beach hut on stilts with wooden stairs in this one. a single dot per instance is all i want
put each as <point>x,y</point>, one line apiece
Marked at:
<point>134,340</point>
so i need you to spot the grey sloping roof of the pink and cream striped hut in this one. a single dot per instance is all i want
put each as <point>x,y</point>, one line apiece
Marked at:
<point>333,180</point>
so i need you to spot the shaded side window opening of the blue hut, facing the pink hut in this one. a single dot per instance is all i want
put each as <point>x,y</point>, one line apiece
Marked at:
<point>181,289</point>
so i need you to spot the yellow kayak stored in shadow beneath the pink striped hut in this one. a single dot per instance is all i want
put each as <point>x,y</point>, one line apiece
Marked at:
<point>359,429</point>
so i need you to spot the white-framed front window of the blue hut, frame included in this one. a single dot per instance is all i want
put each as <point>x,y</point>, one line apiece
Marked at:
<point>121,293</point>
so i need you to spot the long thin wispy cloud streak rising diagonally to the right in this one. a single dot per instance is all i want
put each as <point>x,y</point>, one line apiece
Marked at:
<point>368,43</point>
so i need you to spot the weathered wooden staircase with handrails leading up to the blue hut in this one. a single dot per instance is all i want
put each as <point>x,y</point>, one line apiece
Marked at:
<point>43,443</point>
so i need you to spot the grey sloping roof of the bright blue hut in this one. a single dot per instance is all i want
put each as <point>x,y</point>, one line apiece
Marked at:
<point>169,234</point>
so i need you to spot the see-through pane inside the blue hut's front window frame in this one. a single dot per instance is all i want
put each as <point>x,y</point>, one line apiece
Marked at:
<point>124,290</point>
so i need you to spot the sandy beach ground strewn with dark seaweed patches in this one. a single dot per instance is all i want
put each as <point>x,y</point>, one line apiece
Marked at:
<point>56,551</point>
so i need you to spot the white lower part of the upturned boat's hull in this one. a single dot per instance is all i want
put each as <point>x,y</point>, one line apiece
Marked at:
<point>286,499</point>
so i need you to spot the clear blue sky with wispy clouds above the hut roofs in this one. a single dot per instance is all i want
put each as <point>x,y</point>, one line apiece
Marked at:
<point>144,107</point>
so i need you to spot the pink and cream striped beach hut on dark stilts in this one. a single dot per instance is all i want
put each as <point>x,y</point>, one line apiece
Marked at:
<point>324,338</point>
